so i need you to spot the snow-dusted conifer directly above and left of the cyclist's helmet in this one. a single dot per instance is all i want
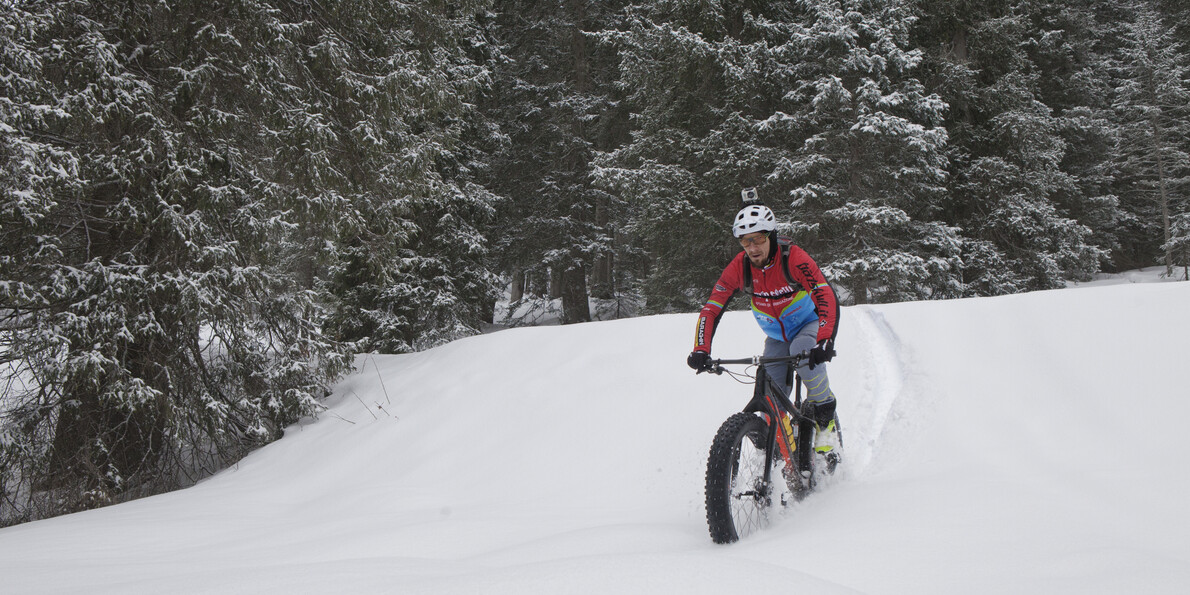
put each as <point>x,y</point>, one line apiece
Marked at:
<point>700,78</point>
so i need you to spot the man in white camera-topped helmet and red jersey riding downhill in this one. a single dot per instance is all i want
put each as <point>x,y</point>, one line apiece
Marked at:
<point>796,306</point>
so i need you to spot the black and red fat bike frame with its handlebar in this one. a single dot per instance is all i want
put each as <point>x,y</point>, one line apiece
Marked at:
<point>771,399</point>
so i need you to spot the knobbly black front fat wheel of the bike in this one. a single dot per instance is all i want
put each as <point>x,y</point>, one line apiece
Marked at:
<point>738,499</point>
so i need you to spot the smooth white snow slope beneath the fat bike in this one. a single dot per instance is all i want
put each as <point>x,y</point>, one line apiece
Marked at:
<point>1029,443</point>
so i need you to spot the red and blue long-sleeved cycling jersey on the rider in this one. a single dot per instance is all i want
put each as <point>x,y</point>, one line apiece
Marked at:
<point>781,310</point>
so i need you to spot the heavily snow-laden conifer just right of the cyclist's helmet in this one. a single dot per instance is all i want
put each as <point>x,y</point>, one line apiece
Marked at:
<point>870,173</point>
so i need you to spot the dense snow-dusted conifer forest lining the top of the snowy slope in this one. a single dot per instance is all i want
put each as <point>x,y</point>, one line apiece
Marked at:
<point>208,210</point>
